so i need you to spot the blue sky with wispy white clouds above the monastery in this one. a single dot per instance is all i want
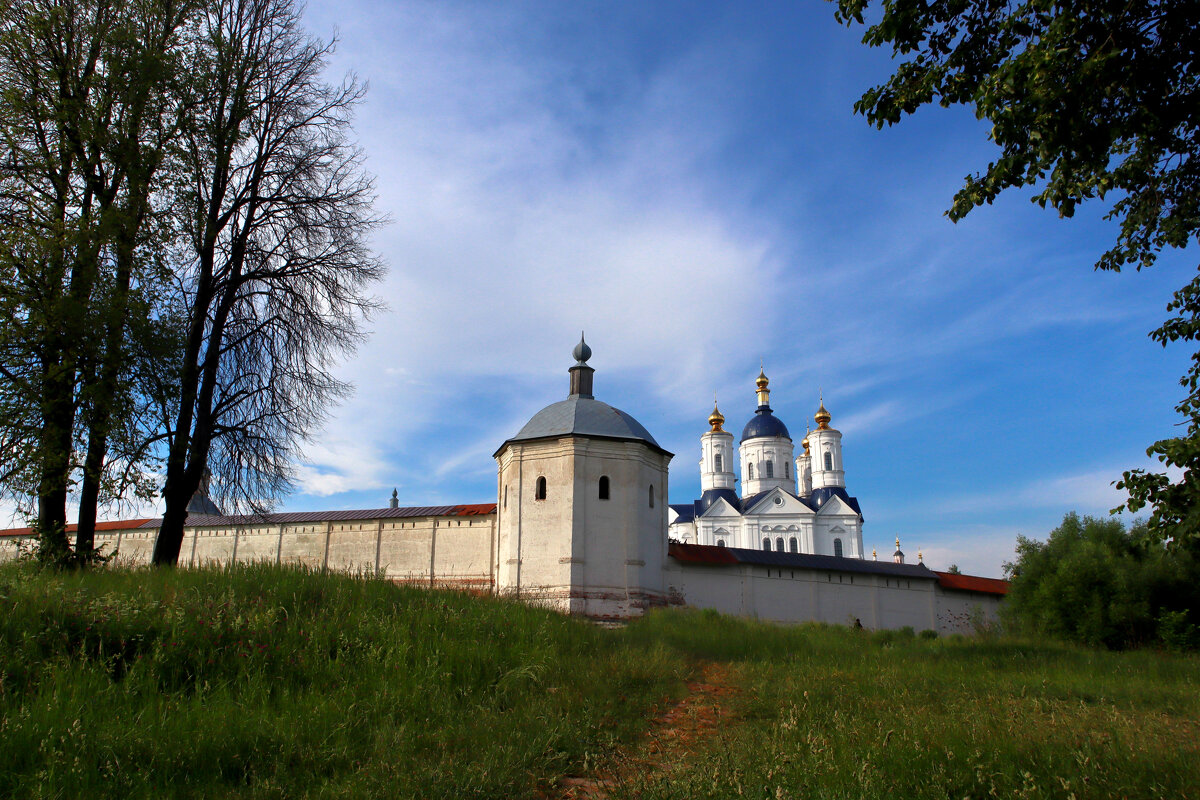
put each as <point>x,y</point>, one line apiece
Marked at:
<point>688,184</point>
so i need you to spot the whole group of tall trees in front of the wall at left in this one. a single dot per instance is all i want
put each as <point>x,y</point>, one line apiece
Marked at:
<point>184,220</point>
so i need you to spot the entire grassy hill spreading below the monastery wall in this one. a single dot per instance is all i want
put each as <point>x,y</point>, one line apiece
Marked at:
<point>267,683</point>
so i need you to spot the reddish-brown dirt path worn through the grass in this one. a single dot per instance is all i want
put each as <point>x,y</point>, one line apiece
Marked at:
<point>673,735</point>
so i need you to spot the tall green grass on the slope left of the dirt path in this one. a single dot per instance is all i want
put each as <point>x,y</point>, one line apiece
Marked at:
<point>267,683</point>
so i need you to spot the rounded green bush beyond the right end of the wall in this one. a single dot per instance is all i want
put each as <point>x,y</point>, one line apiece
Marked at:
<point>1097,584</point>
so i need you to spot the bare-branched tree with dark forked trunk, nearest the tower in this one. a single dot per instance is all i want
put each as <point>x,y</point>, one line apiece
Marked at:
<point>274,266</point>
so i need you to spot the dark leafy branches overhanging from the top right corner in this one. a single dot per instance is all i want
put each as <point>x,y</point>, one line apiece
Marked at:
<point>1088,100</point>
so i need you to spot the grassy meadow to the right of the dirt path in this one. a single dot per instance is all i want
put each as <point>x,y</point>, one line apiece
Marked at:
<point>835,713</point>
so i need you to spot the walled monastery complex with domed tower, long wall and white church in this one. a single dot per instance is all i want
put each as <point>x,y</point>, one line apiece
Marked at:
<point>581,525</point>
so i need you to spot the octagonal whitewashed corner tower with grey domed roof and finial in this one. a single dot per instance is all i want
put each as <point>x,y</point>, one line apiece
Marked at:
<point>583,509</point>
